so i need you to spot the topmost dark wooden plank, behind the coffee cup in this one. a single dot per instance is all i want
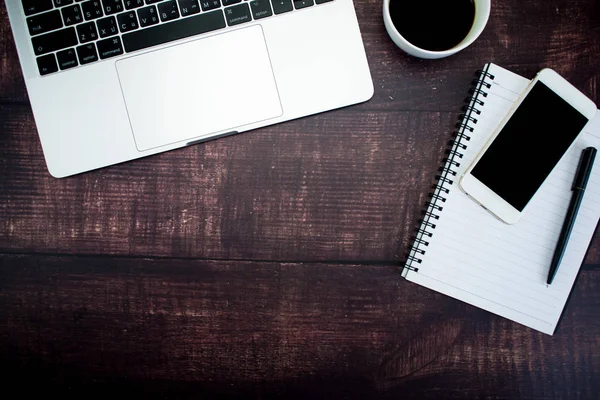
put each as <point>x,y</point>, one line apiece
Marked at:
<point>560,34</point>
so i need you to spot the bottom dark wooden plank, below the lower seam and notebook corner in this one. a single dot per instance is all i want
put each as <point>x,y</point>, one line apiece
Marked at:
<point>270,328</point>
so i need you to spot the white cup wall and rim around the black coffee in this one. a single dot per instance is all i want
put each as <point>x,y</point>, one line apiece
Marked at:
<point>482,14</point>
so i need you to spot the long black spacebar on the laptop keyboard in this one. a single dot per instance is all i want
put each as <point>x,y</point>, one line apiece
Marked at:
<point>179,29</point>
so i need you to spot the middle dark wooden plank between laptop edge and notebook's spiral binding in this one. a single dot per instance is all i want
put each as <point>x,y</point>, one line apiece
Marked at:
<point>347,186</point>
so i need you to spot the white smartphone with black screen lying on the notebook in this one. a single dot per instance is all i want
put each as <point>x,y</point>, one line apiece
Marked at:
<point>531,140</point>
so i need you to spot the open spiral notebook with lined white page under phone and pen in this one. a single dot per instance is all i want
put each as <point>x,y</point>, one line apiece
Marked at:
<point>463,251</point>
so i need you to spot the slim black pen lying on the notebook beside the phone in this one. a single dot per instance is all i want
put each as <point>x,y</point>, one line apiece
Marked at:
<point>584,170</point>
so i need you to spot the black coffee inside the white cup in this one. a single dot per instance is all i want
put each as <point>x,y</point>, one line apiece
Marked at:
<point>434,25</point>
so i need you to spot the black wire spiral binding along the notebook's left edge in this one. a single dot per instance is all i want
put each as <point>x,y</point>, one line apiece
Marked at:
<point>447,173</point>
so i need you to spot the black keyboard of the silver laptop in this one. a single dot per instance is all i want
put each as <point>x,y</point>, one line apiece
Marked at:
<point>71,33</point>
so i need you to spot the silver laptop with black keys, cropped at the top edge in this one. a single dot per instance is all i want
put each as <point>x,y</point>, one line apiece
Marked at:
<point>114,80</point>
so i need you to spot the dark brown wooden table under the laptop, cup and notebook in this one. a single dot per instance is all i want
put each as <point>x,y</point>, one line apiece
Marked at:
<point>265,263</point>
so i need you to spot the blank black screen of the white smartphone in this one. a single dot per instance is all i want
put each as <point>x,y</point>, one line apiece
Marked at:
<point>529,146</point>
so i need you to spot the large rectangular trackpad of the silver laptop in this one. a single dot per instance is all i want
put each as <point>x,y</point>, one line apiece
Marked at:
<point>191,90</point>
